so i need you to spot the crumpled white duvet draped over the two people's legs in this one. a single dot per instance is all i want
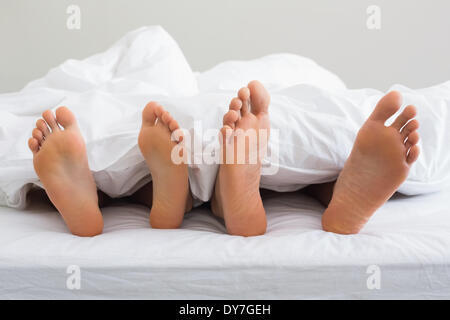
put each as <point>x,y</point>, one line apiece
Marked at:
<point>314,117</point>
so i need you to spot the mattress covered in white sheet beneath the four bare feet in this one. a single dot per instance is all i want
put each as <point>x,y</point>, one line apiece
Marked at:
<point>405,246</point>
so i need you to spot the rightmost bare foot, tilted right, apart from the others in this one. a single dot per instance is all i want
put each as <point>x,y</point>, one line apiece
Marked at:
<point>377,166</point>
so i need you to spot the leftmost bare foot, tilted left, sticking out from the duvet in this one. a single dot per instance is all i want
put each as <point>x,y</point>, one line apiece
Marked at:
<point>60,161</point>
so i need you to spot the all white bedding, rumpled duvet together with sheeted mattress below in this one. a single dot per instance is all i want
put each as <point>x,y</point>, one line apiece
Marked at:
<point>317,119</point>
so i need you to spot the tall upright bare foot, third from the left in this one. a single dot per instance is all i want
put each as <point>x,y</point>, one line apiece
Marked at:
<point>236,195</point>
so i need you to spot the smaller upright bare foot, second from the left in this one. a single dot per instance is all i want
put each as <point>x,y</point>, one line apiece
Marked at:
<point>171,195</point>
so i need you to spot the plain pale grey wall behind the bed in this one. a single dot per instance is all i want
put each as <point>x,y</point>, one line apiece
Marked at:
<point>412,47</point>
